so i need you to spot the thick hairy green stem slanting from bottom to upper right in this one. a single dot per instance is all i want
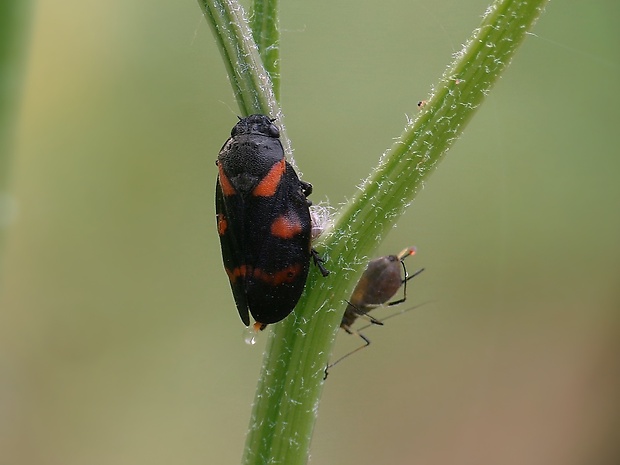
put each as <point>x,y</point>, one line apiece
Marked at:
<point>299,348</point>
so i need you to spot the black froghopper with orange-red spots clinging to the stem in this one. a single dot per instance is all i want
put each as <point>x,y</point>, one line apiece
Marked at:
<point>263,220</point>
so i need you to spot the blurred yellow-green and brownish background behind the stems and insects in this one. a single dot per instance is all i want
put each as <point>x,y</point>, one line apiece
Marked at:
<point>119,339</point>
